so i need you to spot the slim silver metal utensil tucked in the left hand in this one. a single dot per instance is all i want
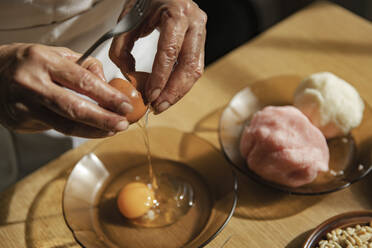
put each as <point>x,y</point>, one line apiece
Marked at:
<point>131,20</point>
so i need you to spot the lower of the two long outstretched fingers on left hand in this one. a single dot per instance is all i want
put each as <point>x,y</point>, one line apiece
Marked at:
<point>79,110</point>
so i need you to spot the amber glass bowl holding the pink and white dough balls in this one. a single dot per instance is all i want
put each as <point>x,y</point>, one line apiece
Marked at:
<point>352,154</point>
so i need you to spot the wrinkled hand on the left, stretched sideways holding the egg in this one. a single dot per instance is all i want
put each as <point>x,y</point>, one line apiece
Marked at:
<point>37,85</point>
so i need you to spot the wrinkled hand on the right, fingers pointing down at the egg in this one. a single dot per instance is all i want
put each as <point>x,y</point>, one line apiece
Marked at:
<point>179,61</point>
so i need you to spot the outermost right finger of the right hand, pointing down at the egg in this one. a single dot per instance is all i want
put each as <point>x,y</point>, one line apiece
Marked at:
<point>188,70</point>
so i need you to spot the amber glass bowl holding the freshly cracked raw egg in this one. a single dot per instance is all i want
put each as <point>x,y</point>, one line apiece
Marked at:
<point>89,200</point>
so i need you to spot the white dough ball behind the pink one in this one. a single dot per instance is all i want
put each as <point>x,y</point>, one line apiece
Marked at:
<point>331,104</point>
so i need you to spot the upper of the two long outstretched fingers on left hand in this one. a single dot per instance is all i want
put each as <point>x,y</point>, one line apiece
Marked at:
<point>74,77</point>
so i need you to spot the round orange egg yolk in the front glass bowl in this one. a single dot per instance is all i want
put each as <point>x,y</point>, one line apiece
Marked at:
<point>135,199</point>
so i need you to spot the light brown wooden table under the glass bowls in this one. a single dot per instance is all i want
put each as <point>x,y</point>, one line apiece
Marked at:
<point>322,37</point>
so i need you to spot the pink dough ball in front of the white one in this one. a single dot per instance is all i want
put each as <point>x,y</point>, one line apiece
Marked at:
<point>281,145</point>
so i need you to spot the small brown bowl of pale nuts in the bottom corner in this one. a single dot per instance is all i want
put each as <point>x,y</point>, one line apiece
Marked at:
<point>347,230</point>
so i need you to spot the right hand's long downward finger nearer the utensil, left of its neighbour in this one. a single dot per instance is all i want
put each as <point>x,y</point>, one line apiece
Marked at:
<point>173,29</point>
